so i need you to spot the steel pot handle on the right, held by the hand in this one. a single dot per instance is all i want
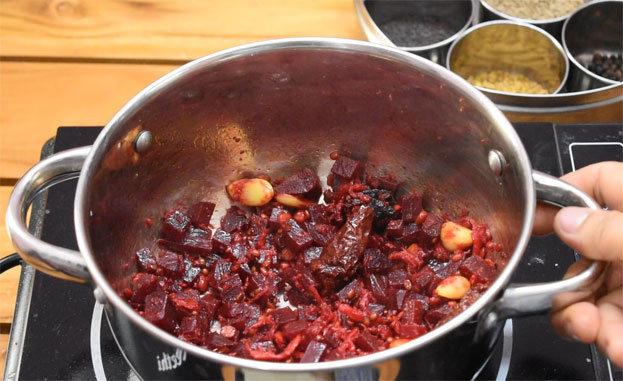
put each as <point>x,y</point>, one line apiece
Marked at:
<point>522,300</point>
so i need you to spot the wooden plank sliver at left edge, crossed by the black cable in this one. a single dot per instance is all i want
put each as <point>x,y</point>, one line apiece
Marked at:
<point>10,279</point>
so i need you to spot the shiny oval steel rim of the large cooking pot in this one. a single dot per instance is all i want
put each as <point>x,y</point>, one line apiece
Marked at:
<point>498,121</point>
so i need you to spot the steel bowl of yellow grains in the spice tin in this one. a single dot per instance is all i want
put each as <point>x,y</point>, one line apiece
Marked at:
<point>505,57</point>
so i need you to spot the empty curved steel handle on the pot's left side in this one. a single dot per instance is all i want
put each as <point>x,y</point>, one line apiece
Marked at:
<point>53,260</point>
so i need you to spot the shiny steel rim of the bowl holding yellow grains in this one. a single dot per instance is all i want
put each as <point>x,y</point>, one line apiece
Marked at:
<point>551,38</point>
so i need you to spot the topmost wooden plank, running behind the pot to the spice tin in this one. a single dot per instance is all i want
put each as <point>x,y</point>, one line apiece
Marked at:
<point>163,29</point>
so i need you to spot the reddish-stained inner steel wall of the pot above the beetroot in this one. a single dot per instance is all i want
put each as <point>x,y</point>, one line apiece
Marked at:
<point>275,111</point>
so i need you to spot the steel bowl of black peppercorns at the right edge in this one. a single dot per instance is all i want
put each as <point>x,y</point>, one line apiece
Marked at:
<point>592,39</point>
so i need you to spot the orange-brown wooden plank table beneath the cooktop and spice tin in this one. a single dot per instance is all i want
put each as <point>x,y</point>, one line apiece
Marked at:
<point>76,62</point>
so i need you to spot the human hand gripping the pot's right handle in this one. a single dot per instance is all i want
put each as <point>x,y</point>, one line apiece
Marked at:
<point>596,235</point>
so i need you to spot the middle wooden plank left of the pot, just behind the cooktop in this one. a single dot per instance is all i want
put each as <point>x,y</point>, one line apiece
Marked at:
<point>36,98</point>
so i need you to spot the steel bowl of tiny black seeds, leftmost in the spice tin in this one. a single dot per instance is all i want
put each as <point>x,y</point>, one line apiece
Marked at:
<point>424,27</point>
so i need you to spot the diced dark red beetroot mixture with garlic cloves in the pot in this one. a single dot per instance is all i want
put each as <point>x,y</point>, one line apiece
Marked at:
<point>368,271</point>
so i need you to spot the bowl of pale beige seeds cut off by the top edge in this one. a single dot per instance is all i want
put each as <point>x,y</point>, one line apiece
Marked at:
<point>549,15</point>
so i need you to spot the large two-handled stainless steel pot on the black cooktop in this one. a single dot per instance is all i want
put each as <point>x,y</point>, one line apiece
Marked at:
<point>271,106</point>
